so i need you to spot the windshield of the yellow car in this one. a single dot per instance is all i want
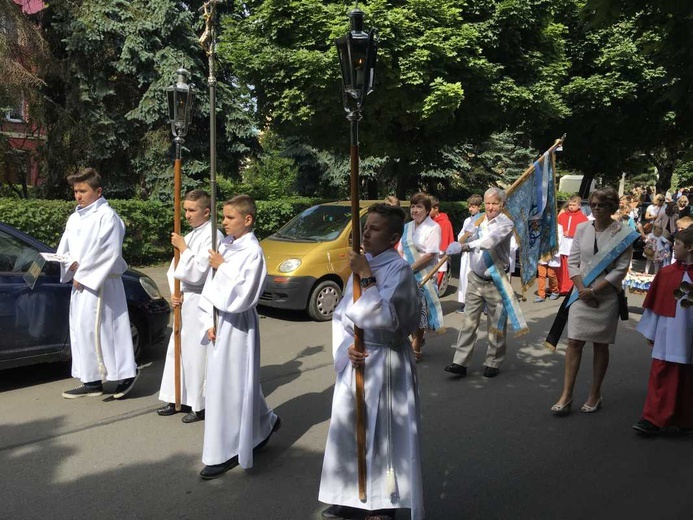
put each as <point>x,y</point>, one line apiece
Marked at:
<point>316,224</point>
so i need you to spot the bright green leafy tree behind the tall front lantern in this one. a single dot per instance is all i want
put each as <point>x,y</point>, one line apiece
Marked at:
<point>447,73</point>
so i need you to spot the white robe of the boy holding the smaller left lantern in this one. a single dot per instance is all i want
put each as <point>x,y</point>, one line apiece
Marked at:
<point>192,269</point>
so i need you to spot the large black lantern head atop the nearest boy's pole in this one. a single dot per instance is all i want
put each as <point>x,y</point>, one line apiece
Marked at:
<point>357,50</point>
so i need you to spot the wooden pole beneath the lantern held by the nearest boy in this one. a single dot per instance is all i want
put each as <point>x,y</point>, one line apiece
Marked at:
<point>354,117</point>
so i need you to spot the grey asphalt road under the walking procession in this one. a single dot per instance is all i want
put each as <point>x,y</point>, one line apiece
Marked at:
<point>491,449</point>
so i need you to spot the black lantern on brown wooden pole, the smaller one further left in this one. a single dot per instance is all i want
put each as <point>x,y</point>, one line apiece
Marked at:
<point>181,99</point>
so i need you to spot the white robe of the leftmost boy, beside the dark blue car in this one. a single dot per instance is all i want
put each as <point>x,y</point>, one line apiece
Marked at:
<point>100,334</point>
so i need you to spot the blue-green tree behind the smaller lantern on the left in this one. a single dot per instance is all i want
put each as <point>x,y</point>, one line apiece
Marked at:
<point>107,103</point>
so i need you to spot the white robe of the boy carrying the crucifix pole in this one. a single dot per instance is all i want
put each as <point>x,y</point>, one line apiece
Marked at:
<point>237,417</point>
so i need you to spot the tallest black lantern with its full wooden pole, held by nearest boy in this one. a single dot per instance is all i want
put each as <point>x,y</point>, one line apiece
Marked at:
<point>357,51</point>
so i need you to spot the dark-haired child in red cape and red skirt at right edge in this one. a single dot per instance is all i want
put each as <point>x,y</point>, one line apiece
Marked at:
<point>667,323</point>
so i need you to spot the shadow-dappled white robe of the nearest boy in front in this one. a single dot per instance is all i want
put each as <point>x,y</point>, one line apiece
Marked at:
<point>387,313</point>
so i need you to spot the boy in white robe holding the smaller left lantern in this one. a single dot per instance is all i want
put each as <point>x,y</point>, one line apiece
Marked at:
<point>192,270</point>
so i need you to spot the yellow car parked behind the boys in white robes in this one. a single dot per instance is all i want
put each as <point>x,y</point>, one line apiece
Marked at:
<point>307,264</point>
